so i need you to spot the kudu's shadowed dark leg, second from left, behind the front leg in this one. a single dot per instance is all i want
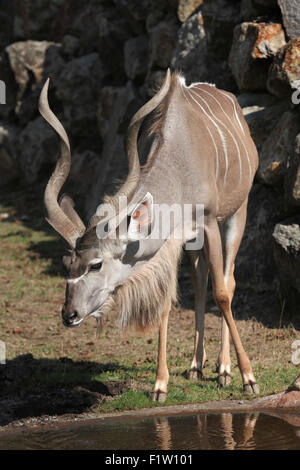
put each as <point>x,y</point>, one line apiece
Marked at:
<point>199,277</point>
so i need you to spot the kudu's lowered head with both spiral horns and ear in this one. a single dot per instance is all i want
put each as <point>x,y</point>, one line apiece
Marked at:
<point>97,265</point>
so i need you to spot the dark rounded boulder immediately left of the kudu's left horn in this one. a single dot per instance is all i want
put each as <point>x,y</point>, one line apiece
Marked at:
<point>37,147</point>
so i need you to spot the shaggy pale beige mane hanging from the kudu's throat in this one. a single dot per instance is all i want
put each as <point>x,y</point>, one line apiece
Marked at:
<point>142,299</point>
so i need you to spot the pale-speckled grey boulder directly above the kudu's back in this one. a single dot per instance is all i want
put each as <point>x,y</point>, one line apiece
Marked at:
<point>190,55</point>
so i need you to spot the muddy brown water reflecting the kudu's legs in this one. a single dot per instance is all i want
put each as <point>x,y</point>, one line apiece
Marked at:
<point>249,430</point>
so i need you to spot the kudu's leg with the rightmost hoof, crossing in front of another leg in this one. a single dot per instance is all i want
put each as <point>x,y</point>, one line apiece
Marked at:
<point>223,299</point>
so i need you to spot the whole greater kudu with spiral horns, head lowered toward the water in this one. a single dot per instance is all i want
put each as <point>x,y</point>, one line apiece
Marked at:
<point>201,152</point>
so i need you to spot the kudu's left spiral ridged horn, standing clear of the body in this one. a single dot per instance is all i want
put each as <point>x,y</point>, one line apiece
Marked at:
<point>54,213</point>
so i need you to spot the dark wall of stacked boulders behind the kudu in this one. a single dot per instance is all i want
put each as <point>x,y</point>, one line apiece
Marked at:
<point>105,57</point>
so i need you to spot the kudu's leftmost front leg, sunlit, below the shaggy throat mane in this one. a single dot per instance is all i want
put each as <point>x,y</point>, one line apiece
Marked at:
<point>162,374</point>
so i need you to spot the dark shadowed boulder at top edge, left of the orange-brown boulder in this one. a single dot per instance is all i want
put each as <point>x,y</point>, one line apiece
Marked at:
<point>220,19</point>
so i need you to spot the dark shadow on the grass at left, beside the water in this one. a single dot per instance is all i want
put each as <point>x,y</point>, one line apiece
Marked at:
<point>31,388</point>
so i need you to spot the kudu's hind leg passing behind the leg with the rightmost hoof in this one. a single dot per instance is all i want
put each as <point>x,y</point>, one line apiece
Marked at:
<point>231,233</point>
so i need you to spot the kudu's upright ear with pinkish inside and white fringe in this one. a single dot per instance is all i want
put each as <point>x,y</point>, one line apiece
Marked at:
<point>140,219</point>
